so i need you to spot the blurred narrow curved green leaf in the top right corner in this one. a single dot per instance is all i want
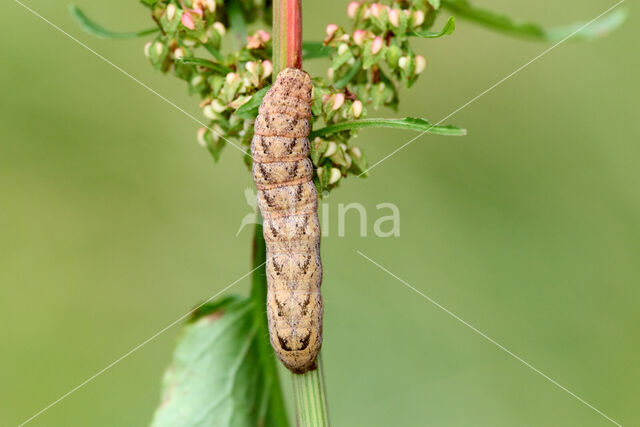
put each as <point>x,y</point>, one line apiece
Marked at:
<point>503,23</point>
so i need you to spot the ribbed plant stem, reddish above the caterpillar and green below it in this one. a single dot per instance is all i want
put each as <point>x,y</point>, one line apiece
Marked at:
<point>309,390</point>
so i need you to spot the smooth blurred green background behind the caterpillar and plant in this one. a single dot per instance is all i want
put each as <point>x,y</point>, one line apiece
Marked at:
<point>114,222</point>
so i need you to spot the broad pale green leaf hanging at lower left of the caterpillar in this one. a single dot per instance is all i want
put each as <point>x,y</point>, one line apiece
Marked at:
<point>217,377</point>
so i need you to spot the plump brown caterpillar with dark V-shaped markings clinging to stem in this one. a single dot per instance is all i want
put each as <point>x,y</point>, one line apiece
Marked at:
<point>288,201</point>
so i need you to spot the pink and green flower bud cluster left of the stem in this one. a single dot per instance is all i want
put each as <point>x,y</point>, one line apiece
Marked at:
<point>224,82</point>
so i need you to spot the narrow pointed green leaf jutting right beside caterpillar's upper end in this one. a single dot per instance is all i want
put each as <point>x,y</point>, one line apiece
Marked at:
<point>406,123</point>
